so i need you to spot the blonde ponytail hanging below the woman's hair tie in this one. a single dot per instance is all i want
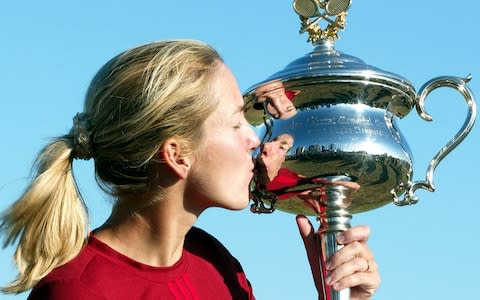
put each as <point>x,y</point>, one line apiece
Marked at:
<point>48,220</point>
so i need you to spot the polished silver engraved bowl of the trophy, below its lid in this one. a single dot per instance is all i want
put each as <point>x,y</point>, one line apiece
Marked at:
<point>343,138</point>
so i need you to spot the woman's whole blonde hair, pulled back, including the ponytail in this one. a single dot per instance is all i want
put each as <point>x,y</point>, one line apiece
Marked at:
<point>135,102</point>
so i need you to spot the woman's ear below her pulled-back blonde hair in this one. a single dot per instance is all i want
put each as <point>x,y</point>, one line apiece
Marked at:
<point>174,157</point>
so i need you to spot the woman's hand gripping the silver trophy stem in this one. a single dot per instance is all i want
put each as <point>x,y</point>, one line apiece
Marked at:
<point>353,266</point>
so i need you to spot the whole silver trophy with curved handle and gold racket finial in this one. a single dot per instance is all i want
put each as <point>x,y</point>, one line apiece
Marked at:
<point>334,117</point>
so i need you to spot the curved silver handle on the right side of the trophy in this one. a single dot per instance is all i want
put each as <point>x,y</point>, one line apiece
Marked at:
<point>459,84</point>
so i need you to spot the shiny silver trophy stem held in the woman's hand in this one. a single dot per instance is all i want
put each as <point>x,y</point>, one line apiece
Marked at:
<point>334,218</point>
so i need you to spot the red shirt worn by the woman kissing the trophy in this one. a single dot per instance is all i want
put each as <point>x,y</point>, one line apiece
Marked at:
<point>206,270</point>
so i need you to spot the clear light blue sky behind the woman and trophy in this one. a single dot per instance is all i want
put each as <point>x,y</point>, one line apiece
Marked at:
<point>51,49</point>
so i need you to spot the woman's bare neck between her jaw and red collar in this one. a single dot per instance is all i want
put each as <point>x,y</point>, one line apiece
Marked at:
<point>152,235</point>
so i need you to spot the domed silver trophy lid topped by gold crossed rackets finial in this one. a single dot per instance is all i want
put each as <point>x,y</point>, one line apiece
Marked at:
<point>330,76</point>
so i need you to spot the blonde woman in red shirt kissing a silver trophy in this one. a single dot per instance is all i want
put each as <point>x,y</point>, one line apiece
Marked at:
<point>157,121</point>
